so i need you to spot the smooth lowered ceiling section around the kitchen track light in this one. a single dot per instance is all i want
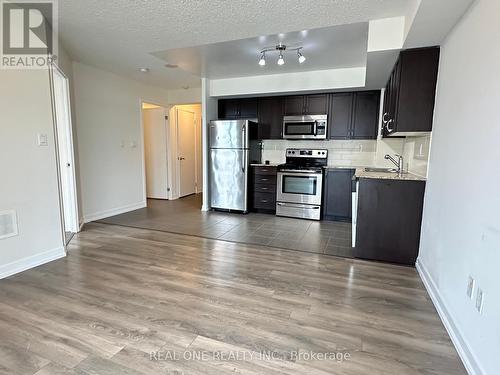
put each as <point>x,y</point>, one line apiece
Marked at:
<point>341,46</point>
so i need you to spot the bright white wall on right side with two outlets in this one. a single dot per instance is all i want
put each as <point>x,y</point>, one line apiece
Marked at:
<point>461,225</point>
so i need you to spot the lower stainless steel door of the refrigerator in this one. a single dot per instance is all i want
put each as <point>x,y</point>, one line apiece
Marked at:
<point>229,179</point>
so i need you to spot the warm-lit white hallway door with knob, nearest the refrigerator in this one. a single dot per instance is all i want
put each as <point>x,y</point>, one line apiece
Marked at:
<point>186,151</point>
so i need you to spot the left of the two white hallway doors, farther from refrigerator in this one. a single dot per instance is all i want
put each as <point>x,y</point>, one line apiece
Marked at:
<point>155,152</point>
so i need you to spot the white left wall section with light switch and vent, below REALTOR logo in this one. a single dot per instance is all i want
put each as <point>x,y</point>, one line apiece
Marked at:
<point>29,172</point>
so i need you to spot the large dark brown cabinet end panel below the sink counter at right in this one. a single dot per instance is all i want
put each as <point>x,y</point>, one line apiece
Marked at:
<point>389,220</point>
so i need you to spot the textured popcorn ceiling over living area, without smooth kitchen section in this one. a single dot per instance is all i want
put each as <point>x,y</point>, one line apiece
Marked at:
<point>121,35</point>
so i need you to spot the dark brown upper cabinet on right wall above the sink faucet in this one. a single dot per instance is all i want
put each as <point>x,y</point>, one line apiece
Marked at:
<point>410,93</point>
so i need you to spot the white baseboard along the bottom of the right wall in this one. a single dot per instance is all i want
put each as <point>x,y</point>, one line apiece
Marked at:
<point>456,335</point>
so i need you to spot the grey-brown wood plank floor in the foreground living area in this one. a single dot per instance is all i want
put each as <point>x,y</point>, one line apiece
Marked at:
<point>134,301</point>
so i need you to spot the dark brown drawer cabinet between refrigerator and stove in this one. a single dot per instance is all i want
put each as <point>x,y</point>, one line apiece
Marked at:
<point>262,192</point>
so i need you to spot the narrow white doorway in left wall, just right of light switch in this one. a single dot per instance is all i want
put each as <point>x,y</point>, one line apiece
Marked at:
<point>65,152</point>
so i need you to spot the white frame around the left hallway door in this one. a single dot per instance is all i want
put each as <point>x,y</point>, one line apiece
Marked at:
<point>166,110</point>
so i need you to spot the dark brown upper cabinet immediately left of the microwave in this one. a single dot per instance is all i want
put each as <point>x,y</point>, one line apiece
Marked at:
<point>271,117</point>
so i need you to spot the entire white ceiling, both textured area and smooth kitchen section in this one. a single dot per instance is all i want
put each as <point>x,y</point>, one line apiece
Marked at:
<point>123,35</point>
